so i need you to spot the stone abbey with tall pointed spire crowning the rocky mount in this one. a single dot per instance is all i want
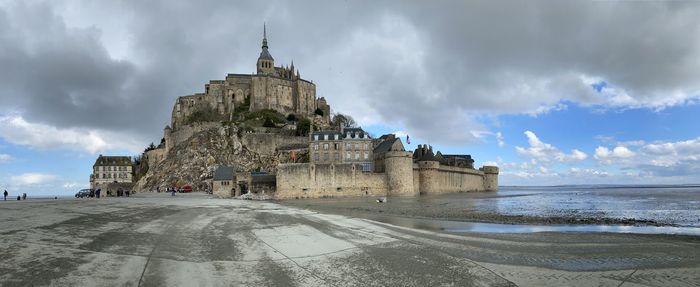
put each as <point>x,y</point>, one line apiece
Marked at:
<point>277,88</point>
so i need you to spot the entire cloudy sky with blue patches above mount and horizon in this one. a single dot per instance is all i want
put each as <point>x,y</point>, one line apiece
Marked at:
<point>552,92</point>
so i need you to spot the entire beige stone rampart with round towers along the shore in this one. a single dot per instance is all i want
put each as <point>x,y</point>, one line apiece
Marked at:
<point>402,178</point>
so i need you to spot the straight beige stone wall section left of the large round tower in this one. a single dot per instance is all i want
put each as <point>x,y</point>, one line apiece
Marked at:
<point>304,180</point>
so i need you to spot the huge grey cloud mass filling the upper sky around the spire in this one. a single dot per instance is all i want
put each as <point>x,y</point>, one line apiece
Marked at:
<point>430,70</point>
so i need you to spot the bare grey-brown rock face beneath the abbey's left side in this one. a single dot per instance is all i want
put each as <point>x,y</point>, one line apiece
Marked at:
<point>194,160</point>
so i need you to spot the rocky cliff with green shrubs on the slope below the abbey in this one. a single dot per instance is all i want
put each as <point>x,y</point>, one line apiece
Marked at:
<point>197,151</point>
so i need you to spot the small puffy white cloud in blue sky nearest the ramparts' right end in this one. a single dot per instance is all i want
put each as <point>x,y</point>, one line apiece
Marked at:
<point>545,152</point>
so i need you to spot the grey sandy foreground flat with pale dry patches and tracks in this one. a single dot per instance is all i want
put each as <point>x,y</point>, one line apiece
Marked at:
<point>194,240</point>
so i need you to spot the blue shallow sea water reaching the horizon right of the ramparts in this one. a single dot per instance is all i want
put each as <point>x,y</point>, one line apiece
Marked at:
<point>675,205</point>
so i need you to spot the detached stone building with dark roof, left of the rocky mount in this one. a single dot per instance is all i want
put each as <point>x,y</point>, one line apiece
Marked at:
<point>111,169</point>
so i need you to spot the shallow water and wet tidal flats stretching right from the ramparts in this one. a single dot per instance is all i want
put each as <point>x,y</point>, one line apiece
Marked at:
<point>676,208</point>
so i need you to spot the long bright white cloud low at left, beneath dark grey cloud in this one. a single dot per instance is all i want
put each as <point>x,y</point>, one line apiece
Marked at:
<point>16,130</point>
